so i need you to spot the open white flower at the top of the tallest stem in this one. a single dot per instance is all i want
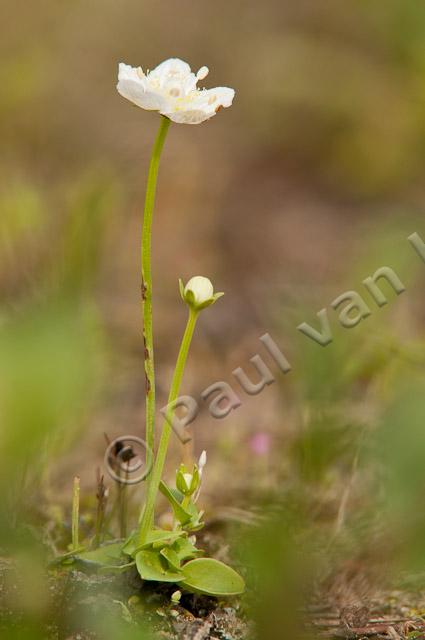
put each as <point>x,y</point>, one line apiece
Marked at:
<point>171,89</point>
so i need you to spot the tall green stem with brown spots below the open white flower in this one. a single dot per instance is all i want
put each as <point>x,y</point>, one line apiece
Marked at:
<point>147,283</point>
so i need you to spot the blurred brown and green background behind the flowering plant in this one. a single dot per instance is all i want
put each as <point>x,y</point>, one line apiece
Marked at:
<point>307,185</point>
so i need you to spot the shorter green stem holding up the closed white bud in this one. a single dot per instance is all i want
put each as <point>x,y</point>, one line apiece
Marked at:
<point>147,517</point>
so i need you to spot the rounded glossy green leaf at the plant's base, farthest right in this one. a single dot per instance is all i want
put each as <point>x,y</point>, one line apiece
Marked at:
<point>211,577</point>
